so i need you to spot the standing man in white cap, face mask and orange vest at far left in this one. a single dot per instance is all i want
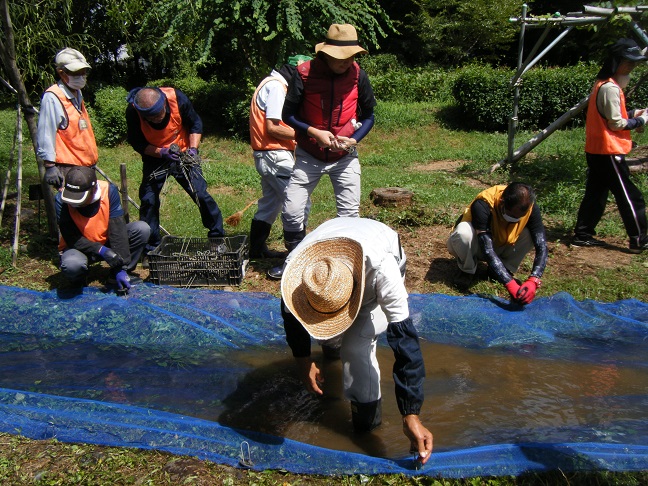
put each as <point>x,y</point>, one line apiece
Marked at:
<point>65,138</point>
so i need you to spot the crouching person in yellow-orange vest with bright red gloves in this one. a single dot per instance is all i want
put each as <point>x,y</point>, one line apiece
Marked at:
<point>500,227</point>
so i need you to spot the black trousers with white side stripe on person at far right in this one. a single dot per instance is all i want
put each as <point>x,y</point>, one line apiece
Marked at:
<point>610,173</point>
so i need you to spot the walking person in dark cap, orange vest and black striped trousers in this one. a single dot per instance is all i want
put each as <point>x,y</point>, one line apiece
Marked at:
<point>607,142</point>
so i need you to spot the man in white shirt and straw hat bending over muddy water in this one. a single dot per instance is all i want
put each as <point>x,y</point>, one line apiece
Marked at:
<point>344,285</point>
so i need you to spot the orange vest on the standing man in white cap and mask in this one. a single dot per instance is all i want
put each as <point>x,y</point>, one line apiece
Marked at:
<point>75,144</point>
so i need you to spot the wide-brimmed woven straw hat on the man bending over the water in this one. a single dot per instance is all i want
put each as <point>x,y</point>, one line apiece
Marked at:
<point>322,285</point>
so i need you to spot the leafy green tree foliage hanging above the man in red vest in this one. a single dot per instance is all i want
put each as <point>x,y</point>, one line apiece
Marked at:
<point>227,36</point>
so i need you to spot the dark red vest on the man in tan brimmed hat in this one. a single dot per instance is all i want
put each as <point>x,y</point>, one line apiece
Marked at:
<point>329,102</point>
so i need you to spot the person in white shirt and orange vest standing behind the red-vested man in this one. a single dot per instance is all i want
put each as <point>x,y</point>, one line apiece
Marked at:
<point>273,143</point>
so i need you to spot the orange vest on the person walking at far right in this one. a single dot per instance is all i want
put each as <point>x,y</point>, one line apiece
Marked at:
<point>599,139</point>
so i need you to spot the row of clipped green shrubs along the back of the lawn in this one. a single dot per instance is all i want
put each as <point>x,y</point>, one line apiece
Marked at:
<point>482,93</point>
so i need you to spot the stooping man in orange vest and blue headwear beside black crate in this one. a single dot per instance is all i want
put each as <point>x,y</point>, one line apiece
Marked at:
<point>158,120</point>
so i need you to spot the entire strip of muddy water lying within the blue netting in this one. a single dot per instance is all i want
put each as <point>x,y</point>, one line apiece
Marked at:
<point>474,397</point>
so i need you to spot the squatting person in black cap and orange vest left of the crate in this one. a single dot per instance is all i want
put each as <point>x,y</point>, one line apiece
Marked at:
<point>91,220</point>
